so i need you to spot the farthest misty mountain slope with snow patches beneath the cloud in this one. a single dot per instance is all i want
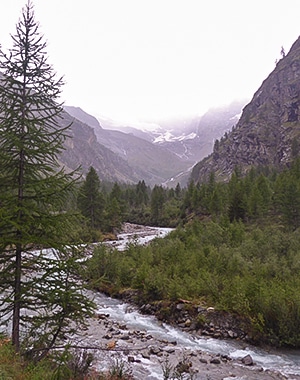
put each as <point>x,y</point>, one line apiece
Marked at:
<point>190,138</point>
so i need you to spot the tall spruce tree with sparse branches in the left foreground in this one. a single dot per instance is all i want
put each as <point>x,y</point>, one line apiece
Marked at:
<point>40,295</point>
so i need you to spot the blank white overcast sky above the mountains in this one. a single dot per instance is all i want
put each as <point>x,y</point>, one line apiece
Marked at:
<point>143,59</point>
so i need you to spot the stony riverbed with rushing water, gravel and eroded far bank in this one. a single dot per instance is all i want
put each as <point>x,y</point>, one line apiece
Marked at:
<point>175,341</point>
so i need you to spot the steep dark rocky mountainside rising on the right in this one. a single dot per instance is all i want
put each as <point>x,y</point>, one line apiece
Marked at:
<point>268,132</point>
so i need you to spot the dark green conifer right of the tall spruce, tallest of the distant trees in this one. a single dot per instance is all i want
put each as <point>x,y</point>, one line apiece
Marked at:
<point>91,200</point>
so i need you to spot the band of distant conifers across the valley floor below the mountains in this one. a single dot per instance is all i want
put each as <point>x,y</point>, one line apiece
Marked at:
<point>263,194</point>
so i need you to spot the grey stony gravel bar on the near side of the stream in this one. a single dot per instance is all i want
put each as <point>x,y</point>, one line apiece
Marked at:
<point>145,356</point>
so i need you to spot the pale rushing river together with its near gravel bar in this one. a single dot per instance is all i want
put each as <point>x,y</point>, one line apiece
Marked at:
<point>132,336</point>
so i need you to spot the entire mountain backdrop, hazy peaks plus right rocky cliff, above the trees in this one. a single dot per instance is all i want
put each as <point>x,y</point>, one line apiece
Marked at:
<point>266,132</point>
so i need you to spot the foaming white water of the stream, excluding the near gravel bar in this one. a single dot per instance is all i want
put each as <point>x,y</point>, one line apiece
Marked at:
<point>286,362</point>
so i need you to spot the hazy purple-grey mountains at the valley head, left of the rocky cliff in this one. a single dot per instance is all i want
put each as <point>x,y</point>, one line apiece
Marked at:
<point>158,153</point>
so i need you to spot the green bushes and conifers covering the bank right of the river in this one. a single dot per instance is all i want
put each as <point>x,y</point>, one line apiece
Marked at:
<point>236,248</point>
